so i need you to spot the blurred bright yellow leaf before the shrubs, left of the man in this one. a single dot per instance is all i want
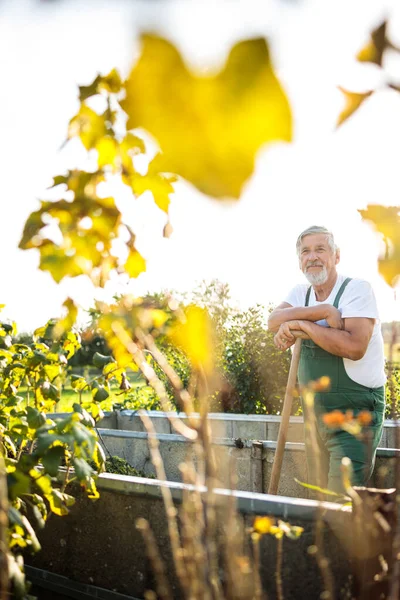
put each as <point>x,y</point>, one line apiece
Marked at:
<point>195,336</point>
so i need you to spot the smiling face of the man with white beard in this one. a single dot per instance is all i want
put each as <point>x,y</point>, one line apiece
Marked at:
<point>317,261</point>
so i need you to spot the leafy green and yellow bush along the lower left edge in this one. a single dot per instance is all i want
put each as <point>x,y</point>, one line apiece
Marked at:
<point>33,446</point>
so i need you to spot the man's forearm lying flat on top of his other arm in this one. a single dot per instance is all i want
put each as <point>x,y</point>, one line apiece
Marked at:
<point>285,312</point>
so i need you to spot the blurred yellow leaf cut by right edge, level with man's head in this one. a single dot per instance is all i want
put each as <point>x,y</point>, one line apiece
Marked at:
<point>386,220</point>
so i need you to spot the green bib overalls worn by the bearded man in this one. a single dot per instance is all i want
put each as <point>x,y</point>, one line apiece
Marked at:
<point>344,394</point>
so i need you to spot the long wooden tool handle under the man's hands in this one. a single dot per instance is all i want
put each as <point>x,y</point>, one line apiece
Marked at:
<point>283,429</point>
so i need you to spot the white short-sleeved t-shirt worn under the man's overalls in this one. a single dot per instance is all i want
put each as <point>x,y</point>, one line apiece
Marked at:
<point>358,300</point>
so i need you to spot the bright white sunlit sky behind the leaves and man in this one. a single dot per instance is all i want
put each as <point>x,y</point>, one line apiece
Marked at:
<point>323,177</point>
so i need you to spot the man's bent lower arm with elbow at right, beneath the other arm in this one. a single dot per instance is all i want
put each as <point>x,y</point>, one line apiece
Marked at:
<point>352,342</point>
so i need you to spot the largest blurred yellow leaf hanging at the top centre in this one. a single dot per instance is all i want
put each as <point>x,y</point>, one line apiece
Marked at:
<point>209,127</point>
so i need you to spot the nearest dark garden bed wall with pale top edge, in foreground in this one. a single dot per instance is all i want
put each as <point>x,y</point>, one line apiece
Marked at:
<point>98,544</point>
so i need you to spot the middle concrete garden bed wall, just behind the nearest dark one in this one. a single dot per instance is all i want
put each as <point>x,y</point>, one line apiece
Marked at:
<point>252,459</point>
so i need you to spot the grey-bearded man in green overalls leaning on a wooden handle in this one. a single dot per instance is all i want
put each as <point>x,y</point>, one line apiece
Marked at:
<point>339,317</point>
